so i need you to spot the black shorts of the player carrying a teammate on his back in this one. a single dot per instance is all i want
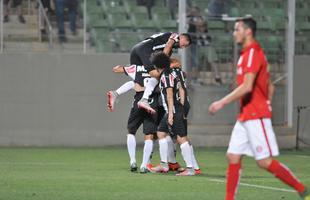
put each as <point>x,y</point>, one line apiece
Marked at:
<point>138,116</point>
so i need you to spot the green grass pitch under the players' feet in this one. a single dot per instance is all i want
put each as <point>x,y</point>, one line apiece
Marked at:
<point>103,173</point>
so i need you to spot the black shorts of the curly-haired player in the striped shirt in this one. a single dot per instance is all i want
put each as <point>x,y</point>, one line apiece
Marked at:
<point>179,126</point>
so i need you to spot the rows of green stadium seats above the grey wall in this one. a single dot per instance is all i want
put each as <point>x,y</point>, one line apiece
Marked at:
<point>124,23</point>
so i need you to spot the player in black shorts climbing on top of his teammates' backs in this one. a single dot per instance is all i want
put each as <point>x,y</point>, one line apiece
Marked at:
<point>140,55</point>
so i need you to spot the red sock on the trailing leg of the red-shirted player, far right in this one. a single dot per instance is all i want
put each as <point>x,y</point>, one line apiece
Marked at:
<point>285,175</point>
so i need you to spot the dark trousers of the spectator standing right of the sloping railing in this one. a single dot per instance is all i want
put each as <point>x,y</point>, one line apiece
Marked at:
<point>72,7</point>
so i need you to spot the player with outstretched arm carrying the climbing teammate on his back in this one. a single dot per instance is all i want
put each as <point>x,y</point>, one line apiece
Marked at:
<point>138,116</point>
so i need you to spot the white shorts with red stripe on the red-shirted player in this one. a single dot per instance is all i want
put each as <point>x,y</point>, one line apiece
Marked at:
<point>254,138</point>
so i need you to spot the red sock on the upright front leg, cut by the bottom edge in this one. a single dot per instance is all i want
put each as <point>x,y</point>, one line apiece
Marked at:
<point>233,176</point>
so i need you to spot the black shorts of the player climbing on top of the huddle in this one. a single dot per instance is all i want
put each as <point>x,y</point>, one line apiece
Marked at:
<point>140,54</point>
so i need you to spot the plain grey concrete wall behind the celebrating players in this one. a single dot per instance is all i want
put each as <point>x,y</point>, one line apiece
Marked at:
<point>60,100</point>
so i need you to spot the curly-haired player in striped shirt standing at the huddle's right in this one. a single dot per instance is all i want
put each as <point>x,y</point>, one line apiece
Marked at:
<point>174,117</point>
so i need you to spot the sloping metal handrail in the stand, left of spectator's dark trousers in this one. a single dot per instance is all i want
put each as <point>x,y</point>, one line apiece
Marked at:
<point>44,24</point>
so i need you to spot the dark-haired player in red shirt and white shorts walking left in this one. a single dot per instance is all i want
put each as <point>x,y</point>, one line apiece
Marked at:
<point>253,134</point>
